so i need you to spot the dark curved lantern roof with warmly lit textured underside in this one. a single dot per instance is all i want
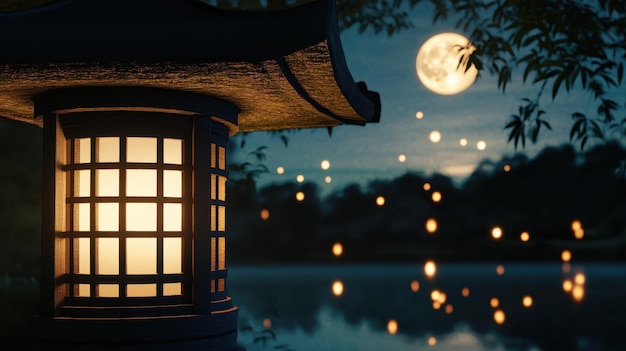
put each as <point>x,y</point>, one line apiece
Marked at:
<point>281,69</point>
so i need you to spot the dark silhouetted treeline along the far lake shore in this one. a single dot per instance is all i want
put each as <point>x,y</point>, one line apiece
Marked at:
<point>541,196</point>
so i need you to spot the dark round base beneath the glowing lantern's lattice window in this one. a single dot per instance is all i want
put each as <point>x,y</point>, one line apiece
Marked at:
<point>216,331</point>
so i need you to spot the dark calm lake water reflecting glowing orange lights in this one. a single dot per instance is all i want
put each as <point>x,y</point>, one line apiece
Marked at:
<point>393,307</point>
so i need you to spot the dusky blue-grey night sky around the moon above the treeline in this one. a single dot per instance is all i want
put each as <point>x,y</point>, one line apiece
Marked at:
<point>387,65</point>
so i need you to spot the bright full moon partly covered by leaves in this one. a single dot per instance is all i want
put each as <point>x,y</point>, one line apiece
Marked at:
<point>437,64</point>
